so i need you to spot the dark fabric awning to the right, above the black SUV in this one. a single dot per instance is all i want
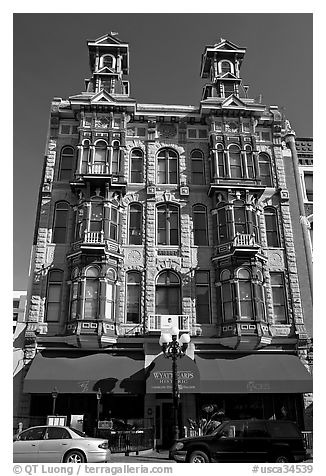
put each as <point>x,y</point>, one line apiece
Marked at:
<point>255,373</point>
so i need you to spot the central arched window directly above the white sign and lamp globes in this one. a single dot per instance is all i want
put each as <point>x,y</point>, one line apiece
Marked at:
<point>168,293</point>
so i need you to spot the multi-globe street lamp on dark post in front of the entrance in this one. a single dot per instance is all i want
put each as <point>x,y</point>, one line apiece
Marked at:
<point>174,348</point>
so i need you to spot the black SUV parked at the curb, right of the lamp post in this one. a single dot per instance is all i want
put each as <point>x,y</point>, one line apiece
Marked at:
<point>244,441</point>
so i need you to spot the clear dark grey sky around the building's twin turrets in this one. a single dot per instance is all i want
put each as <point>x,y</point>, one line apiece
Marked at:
<point>50,58</point>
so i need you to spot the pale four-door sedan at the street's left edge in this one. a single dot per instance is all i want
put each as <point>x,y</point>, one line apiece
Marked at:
<point>59,444</point>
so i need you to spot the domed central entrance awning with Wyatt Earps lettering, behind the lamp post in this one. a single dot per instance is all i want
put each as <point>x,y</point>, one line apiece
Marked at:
<point>160,376</point>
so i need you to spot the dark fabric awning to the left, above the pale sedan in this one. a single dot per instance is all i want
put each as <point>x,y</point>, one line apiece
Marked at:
<point>72,372</point>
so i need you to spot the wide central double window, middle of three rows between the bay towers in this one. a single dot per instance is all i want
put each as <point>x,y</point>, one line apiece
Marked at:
<point>167,224</point>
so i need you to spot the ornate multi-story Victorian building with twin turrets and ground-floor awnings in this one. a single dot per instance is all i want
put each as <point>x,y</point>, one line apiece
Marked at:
<point>149,212</point>
